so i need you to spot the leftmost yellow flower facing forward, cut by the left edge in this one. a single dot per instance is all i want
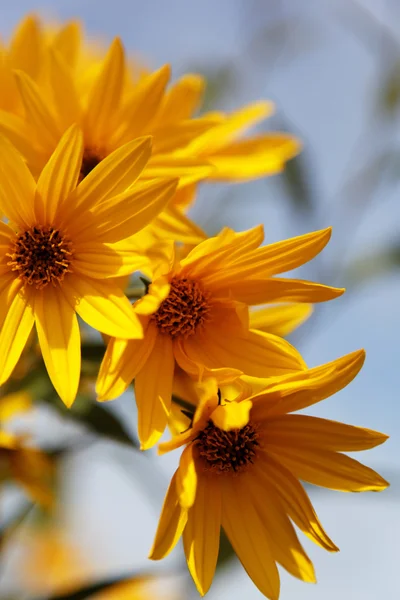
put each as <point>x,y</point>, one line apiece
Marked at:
<point>62,247</point>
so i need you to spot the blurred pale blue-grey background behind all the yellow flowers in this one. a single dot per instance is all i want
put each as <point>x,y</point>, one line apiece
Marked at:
<point>333,69</point>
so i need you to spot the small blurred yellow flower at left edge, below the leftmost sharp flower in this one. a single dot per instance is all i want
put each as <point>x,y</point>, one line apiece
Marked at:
<point>20,463</point>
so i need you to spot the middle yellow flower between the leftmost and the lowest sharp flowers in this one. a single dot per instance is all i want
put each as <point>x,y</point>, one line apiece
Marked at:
<point>196,315</point>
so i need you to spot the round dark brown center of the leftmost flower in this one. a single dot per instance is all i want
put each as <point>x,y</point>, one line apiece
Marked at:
<point>41,255</point>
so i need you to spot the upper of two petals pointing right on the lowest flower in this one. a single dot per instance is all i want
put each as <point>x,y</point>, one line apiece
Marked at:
<point>312,432</point>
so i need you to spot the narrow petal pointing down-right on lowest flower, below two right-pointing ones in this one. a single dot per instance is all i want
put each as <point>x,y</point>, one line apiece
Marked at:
<point>294,500</point>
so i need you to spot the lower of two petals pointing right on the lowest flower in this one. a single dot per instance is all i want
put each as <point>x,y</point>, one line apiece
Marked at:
<point>329,469</point>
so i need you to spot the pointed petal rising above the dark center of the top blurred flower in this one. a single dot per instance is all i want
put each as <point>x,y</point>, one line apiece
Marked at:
<point>105,95</point>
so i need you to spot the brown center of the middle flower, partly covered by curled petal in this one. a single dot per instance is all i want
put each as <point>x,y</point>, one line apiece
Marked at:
<point>185,308</point>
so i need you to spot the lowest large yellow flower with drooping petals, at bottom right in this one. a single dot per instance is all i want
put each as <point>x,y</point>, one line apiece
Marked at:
<point>240,469</point>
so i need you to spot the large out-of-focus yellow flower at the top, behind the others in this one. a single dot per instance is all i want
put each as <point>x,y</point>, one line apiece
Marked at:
<point>113,106</point>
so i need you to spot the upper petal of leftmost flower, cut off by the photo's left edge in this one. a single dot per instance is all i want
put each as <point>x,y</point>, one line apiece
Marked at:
<point>17,186</point>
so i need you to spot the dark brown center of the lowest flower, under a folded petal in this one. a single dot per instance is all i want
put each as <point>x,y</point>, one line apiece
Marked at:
<point>227,451</point>
